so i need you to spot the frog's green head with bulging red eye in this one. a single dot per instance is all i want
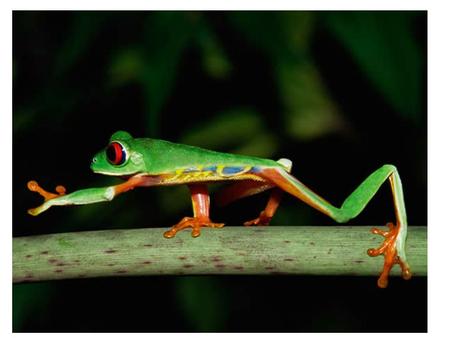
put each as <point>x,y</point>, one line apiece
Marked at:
<point>119,158</point>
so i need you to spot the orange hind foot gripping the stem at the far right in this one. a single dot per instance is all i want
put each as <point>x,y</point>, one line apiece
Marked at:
<point>389,249</point>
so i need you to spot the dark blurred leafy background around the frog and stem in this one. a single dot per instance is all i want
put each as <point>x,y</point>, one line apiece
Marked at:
<point>339,93</point>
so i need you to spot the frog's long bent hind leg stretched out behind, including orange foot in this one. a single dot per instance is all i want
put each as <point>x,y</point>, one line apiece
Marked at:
<point>393,246</point>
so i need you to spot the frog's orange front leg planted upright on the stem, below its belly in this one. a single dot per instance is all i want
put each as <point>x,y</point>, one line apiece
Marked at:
<point>200,206</point>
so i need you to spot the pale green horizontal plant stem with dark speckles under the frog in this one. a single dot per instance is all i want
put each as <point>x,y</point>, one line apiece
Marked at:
<point>337,250</point>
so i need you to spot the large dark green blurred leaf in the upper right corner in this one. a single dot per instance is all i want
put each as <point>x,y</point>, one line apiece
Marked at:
<point>385,49</point>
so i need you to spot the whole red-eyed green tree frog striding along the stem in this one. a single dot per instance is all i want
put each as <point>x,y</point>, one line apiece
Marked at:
<point>151,162</point>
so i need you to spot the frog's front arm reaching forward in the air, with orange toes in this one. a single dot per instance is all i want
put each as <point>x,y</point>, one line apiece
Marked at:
<point>84,196</point>
